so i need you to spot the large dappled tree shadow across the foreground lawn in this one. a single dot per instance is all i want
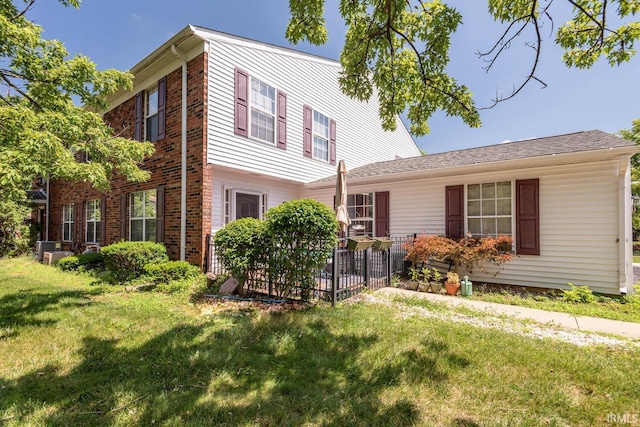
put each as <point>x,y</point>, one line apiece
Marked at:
<point>273,369</point>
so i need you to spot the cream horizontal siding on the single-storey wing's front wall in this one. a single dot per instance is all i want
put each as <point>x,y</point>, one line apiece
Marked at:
<point>578,222</point>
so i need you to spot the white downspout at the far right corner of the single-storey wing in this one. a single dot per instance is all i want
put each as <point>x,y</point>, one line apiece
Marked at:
<point>625,254</point>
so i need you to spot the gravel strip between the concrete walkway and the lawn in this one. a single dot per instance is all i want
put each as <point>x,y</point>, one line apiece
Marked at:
<point>508,324</point>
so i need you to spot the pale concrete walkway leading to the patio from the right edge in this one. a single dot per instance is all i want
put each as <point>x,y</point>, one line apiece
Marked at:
<point>565,320</point>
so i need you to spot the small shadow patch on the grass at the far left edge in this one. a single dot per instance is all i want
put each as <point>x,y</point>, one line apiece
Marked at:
<point>26,308</point>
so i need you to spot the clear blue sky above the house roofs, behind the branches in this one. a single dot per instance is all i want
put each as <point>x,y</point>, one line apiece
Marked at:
<point>118,34</point>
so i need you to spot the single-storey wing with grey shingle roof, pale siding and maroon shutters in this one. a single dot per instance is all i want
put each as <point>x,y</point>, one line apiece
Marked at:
<point>565,199</point>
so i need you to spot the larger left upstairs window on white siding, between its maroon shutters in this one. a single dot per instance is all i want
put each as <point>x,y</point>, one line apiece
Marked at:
<point>263,111</point>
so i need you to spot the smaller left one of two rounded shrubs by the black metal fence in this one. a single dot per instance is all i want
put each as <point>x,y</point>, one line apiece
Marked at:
<point>241,246</point>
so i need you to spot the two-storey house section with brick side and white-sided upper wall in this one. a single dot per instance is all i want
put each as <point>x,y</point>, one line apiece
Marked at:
<point>239,126</point>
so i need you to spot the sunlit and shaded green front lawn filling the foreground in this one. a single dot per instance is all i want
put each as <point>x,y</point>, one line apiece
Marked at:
<point>73,353</point>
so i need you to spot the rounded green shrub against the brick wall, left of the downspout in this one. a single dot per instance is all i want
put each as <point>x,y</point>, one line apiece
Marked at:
<point>126,260</point>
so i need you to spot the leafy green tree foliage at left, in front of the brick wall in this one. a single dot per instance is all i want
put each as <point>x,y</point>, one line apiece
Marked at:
<point>43,133</point>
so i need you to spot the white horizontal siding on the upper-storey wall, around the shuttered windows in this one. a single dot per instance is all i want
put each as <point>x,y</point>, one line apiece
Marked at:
<point>361,139</point>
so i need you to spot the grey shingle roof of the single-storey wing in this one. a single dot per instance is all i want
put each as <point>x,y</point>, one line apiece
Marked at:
<point>560,144</point>
